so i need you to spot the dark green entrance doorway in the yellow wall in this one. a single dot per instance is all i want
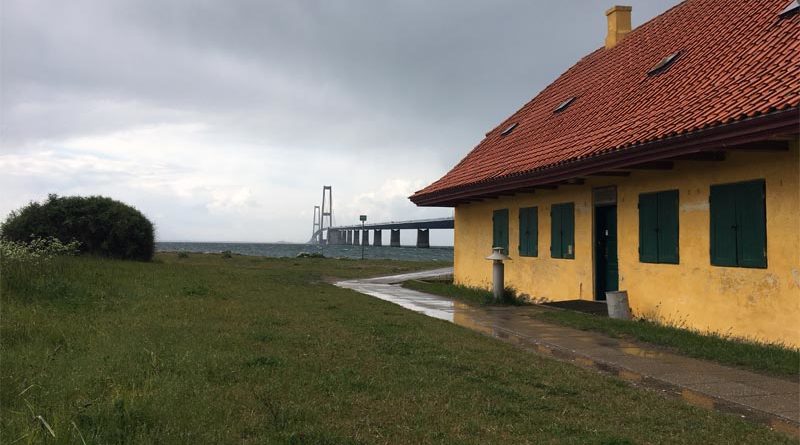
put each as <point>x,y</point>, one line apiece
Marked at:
<point>605,248</point>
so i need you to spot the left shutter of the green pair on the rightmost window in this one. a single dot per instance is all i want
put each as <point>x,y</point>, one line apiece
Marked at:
<point>722,203</point>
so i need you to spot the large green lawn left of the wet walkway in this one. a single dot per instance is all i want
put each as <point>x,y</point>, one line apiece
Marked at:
<point>255,350</point>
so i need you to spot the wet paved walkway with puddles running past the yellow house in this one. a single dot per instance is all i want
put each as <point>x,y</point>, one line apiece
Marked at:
<point>770,400</point>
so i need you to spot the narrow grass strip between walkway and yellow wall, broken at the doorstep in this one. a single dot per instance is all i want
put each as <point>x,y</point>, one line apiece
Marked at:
<point>766,358</point>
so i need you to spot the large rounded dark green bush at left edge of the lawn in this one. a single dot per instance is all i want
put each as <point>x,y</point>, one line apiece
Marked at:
<point>101,225</point>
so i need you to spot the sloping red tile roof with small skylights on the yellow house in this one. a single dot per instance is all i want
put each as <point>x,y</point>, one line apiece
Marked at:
<point>738,59</point>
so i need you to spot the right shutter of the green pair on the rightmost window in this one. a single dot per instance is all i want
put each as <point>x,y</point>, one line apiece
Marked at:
<point>751,242</point>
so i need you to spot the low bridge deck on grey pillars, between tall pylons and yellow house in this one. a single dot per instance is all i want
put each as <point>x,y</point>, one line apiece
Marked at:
<point>358,234</point>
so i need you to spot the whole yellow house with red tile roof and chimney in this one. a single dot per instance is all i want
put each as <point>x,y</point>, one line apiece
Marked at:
<point>666,164</point>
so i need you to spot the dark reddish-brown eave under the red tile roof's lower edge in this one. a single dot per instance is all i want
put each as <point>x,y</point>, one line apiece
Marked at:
<point>719,137</point>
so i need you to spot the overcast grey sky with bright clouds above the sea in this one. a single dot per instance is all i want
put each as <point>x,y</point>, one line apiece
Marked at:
<point>222,120</point>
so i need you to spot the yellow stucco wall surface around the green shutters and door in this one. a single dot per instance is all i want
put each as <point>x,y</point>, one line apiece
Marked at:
<point>762,304</point>
